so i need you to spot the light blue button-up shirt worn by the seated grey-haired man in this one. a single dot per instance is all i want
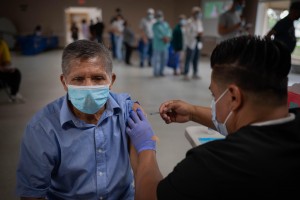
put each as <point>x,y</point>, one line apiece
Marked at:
<point>62,157</point>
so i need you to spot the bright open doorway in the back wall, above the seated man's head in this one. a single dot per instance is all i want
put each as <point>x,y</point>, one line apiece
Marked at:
<point>76,15</point>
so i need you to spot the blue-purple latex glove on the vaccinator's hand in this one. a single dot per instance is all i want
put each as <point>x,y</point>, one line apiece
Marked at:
<point>140,131</point>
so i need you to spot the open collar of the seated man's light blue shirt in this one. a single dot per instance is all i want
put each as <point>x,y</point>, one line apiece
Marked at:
<point>66,115</point>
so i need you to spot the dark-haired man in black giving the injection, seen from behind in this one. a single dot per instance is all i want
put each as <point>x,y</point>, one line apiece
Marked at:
<point>259,156</point>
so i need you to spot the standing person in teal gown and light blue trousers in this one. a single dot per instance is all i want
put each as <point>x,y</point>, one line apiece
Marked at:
<point>161,39</point>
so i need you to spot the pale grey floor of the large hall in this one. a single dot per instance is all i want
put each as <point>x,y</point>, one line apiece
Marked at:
<point>41,85</point>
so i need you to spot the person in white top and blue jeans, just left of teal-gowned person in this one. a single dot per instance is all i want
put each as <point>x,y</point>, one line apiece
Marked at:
<point>146,50</point>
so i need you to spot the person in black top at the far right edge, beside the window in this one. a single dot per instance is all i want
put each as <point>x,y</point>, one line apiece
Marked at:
<point>284,29</point>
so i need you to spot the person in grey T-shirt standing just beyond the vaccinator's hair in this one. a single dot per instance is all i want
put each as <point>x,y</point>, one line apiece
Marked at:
<point>230,22</point>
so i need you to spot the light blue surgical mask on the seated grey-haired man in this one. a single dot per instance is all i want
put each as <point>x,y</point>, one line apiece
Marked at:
<point>88,99</point>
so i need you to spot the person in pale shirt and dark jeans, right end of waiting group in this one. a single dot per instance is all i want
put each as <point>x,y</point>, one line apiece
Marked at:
<point>193,34</point>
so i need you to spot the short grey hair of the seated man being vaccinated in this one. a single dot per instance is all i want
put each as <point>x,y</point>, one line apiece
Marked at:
<point>82,50</point>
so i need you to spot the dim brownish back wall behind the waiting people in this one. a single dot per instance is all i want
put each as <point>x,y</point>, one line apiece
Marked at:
<point>27,14</point>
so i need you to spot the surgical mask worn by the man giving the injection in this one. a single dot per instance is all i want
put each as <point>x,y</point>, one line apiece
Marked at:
<point>221,127</point>
